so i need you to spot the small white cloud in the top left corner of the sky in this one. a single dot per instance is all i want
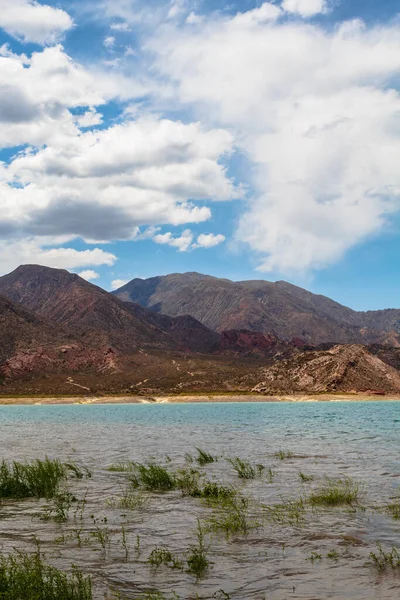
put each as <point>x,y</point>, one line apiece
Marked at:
<point>30,21</point>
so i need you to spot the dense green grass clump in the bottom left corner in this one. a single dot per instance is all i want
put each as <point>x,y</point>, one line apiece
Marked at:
<point>26,577</point>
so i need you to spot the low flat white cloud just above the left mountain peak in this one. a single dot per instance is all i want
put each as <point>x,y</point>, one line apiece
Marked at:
<point>39,250</point>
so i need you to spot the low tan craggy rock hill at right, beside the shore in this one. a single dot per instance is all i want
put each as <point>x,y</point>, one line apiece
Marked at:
<point>350,368</point>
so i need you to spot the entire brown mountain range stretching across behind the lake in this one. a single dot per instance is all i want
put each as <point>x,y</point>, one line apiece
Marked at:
<point>185,332</point>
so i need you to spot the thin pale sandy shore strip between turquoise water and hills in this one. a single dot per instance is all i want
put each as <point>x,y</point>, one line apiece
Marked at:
<point>87,400</point>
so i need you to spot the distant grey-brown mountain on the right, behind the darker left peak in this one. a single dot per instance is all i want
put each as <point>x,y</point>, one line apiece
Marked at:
<point>280,308</point>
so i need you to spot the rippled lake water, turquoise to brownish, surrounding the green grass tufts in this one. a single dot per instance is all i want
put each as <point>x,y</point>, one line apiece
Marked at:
<point>359,440</point>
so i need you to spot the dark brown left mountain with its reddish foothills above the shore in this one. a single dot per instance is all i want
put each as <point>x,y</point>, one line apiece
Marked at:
<point>54,322</point>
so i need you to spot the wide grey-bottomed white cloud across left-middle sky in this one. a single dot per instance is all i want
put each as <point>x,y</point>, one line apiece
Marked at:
<point>102,185</point>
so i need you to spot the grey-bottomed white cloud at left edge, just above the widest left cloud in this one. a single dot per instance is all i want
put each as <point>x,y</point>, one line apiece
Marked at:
<point>37,95</point>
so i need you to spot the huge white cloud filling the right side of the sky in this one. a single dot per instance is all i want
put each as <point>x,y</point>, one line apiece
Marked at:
<point>316,112</point>
